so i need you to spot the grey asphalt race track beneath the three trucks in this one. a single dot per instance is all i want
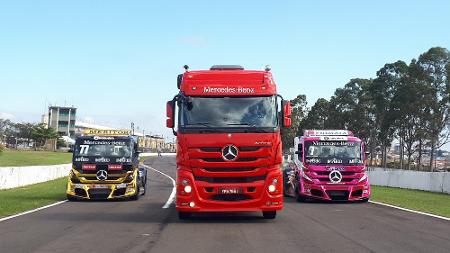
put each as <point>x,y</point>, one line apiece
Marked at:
<point>144,226</point>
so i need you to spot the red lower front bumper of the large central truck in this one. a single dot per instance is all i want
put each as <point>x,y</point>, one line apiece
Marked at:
<point>200,199</point>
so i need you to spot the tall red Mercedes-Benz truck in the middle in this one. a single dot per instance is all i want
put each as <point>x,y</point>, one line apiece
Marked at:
<point>227,121</point>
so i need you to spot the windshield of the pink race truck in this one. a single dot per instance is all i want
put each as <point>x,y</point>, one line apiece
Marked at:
<point>333,152</point>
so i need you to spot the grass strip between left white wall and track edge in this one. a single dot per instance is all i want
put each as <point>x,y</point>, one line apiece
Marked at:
<point>13,201</point>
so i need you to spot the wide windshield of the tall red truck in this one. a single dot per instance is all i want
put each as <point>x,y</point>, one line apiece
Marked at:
<point>228,112</point>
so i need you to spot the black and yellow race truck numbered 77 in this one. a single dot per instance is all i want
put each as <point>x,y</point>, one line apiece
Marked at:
<point>105,165</point>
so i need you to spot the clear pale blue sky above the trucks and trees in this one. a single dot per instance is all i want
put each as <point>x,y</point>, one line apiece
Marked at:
<point>117,61</point>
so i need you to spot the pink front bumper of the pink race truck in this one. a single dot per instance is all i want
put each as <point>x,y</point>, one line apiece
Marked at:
<point>336,192</point>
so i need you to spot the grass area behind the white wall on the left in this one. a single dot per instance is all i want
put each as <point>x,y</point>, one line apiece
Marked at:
<point>30,158</point>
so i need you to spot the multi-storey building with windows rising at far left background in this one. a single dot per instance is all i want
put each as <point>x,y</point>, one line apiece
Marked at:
<point>62,119</point>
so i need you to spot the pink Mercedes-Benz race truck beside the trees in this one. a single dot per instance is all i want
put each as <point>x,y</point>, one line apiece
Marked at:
<point>327,165</point>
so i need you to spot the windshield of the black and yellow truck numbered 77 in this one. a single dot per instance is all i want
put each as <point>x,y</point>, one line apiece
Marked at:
<point>107,149</point>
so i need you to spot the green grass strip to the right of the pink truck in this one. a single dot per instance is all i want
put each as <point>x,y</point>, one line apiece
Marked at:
<point>429,202</point>
